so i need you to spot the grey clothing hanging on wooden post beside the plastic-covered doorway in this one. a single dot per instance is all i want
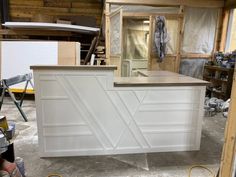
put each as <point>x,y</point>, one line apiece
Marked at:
<point>160,37</point>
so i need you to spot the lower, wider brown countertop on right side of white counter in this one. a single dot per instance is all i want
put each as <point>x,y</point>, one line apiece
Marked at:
<point>158,78</point>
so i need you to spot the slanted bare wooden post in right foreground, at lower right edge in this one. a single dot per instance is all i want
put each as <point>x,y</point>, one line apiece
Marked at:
<point>228,154</point>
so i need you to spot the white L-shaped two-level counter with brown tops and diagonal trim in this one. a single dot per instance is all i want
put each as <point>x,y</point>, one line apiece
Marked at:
<point>84,110</point>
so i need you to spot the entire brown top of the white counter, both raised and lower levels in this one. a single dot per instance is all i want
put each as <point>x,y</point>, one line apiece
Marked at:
<point>148,78</point>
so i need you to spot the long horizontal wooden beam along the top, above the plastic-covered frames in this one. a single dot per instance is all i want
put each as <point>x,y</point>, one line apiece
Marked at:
<point>192,3</point>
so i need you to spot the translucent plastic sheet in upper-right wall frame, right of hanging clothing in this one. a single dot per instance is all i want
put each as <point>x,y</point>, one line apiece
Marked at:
<point>199,30</point>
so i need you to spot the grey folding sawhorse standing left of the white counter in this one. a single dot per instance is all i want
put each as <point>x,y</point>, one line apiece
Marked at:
<point>5,87</point>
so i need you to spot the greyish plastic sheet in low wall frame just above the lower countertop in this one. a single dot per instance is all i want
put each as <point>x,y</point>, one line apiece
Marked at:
<point>192,67</point>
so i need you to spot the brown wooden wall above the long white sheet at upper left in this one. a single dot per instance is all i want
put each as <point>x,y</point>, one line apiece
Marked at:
<point>28,9</point>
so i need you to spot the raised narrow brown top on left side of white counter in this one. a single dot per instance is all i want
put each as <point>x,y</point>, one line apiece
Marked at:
<point>79,67</point>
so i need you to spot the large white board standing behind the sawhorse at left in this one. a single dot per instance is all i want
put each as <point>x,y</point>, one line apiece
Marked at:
<point>17,56</point>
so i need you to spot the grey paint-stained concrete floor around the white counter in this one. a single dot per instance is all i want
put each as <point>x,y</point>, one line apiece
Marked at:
<point>174,164</point>
